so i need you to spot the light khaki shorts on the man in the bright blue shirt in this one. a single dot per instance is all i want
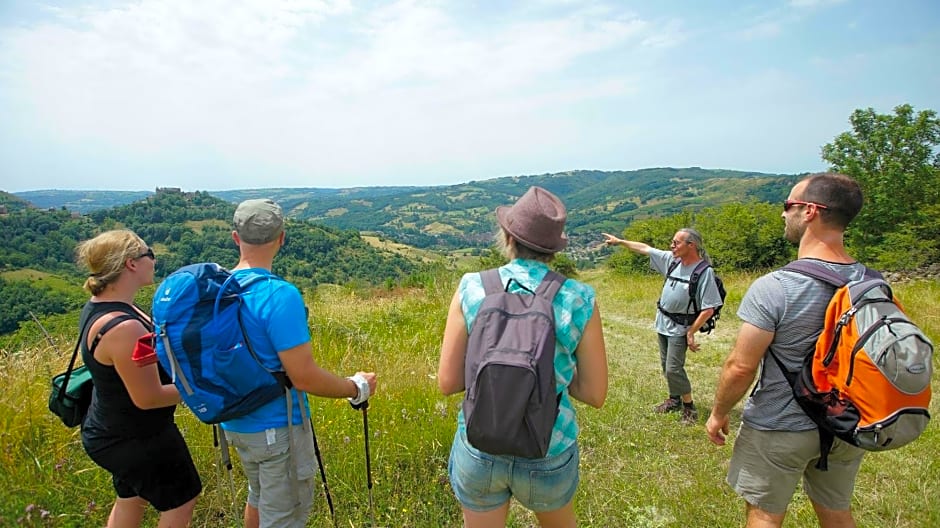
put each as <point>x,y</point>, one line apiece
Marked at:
<point>282,502</point>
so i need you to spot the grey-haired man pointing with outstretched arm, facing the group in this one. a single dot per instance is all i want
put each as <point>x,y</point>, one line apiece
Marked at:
<point>676,319</point>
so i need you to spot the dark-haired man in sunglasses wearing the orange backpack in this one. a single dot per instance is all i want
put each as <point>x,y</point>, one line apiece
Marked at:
<point>777,444</point>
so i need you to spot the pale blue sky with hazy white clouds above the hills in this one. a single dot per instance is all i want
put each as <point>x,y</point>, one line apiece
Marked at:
<point>225,94</point>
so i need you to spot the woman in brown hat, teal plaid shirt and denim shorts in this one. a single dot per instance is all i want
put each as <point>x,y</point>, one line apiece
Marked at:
<point>531,233</point>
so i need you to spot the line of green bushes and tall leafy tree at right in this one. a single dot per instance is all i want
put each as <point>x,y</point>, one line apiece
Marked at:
<point>896,160</point>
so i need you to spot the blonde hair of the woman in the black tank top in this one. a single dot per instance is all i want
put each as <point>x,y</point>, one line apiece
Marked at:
<point>104,257</point>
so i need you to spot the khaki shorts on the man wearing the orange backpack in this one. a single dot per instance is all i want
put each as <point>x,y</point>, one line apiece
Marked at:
<point>767,465</point>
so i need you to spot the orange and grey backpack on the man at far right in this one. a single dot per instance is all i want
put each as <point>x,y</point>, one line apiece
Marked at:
<point>868,380</point>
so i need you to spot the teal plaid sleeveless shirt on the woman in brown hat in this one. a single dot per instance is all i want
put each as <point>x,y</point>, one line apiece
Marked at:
<point>573,306</point>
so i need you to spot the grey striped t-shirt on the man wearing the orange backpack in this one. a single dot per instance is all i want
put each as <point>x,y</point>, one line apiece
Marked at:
<point>792,306</point>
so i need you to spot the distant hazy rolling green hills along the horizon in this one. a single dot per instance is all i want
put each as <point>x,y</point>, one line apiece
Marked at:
<point>461,216</point>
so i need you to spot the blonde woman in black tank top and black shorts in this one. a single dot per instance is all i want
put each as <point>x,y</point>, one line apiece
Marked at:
<point>129,429</point>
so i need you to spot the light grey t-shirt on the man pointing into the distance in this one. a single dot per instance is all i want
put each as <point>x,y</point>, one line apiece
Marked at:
<point>675,295</point>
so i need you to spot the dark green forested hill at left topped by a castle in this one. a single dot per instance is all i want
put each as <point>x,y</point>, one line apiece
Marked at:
<point>38,273</point>
